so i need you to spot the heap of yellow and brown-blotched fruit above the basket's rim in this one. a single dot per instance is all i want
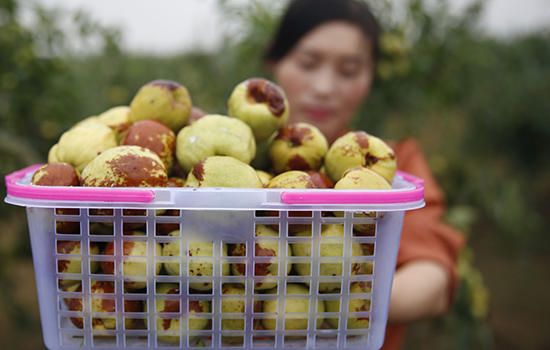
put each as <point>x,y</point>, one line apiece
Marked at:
<point>160,140</point>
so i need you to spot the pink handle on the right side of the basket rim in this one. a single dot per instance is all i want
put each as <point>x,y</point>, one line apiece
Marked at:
<point>373,197</point>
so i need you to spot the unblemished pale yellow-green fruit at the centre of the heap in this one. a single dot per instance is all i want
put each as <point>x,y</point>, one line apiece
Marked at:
<point>215,135</point>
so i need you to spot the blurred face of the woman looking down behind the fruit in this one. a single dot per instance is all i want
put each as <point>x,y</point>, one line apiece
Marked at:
<point>326,76</point>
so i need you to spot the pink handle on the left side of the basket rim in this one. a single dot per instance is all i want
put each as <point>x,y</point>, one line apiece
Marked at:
<point>84,194</point>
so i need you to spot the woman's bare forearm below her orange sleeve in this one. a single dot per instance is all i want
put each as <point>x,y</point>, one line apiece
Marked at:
<point>420,290</point>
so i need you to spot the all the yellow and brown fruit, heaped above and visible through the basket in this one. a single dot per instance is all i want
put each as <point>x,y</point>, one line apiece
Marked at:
<point>160,140</point>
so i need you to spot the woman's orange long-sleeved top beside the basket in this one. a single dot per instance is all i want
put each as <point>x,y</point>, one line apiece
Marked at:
<point>424,235</point>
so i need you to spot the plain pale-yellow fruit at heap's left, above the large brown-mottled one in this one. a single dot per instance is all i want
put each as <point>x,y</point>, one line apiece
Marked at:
<point>81,144</point>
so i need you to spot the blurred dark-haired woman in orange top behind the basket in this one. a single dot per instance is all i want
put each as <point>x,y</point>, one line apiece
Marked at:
<point>324,57</point>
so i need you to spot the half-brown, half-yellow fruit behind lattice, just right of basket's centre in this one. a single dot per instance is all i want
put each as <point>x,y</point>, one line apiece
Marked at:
<point>262,248</point>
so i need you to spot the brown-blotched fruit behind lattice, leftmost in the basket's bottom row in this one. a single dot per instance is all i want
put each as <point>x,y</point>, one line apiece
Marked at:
<point>103,304</point>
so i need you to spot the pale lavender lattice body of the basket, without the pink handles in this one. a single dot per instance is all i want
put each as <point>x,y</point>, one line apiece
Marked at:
<point>222,218</point>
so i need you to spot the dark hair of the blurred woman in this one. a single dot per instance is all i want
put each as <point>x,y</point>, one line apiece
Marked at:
<point>301,16</point>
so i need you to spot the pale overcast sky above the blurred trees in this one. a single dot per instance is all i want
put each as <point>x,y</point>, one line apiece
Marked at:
<point>170,26</point>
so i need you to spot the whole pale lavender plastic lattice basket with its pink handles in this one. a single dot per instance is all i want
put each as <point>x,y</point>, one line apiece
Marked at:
<point>345,291</point>
